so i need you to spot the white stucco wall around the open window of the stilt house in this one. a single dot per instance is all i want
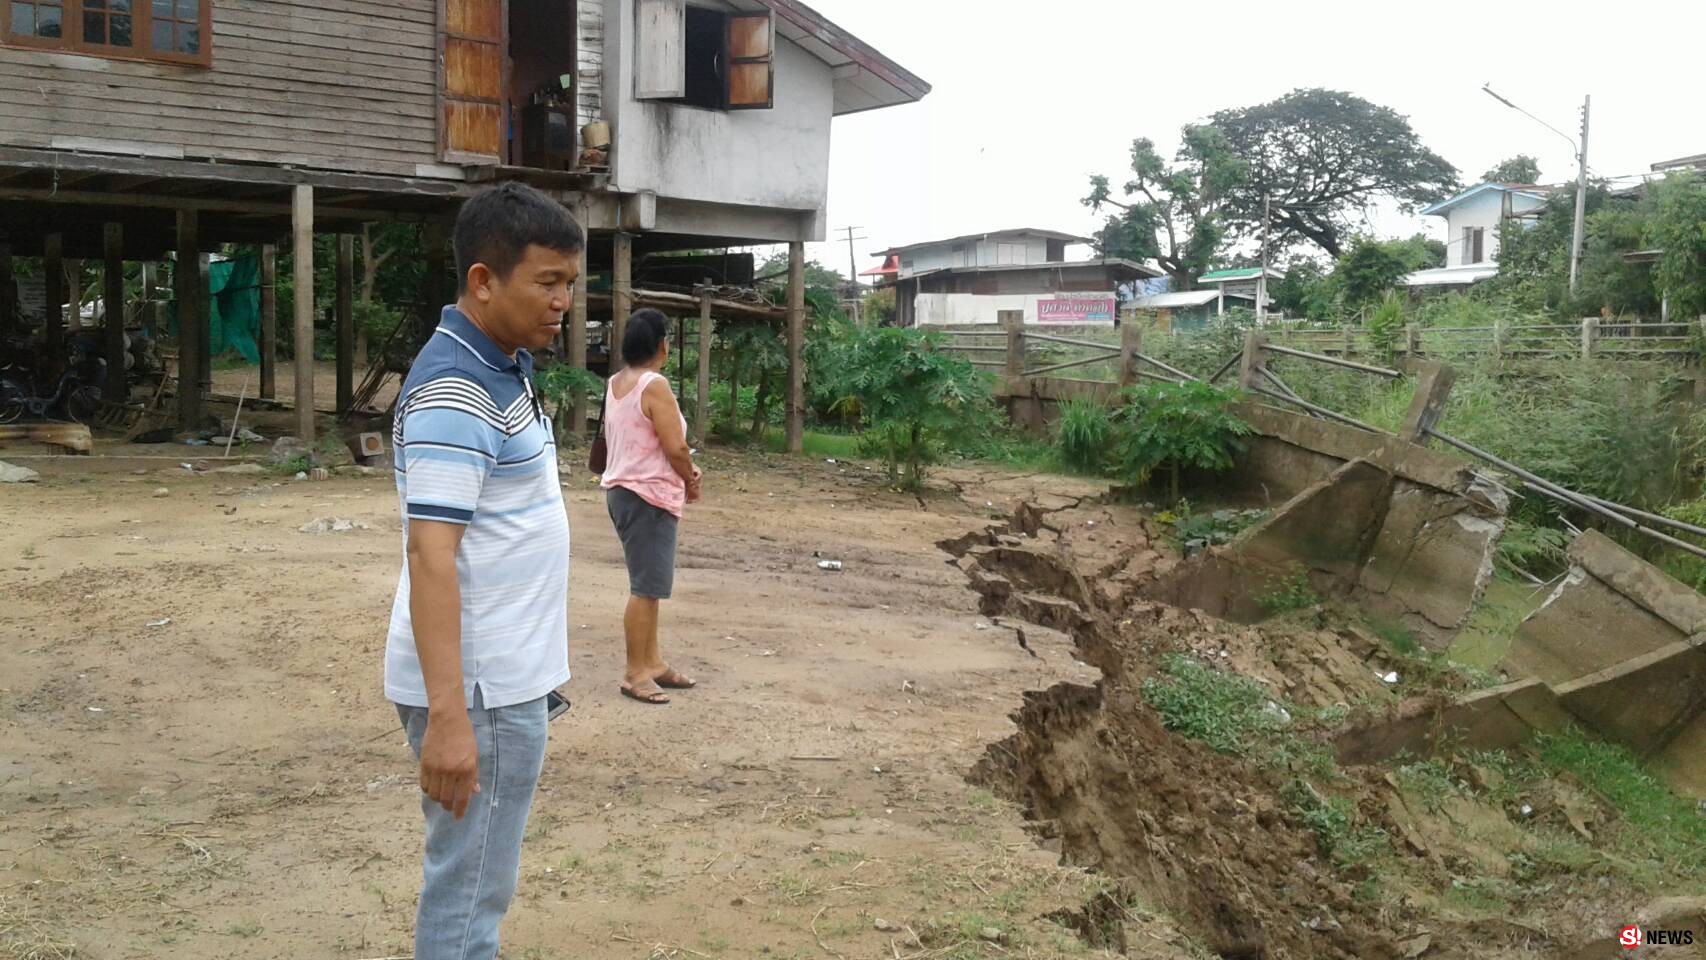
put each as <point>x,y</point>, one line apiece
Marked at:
<point>769,158</point>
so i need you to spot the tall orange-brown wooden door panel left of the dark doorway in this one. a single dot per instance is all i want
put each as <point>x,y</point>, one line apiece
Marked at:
<point>472,127</point>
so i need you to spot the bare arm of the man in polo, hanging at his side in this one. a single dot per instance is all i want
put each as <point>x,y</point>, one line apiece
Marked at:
<point>450,756</point>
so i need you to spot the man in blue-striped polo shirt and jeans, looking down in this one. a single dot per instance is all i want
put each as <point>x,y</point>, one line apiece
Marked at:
<point>480,623</point>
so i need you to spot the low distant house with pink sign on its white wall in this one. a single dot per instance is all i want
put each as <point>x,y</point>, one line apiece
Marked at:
<point>982,279</point>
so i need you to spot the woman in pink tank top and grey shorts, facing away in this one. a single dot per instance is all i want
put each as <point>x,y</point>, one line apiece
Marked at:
<point>649,478</point>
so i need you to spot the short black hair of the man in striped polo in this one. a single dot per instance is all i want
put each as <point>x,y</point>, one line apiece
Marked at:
<point>496,228</point>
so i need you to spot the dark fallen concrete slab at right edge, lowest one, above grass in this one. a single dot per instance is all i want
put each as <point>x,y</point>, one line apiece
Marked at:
<point>1645,702</point>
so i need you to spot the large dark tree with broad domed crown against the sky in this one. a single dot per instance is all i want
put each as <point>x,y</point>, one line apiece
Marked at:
<point>1323,156</point>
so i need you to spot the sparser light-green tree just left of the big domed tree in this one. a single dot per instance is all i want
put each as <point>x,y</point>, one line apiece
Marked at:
<point>1171,214</point>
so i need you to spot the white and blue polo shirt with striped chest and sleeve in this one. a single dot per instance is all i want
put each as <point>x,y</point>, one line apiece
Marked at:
<point>473,448</point>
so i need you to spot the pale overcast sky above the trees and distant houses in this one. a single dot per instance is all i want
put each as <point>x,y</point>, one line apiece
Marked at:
<point>1031,98</point>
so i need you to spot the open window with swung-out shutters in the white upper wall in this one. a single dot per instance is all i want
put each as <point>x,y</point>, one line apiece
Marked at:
<point>704,57</point>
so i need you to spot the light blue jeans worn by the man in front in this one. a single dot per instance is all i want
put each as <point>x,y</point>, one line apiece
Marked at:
<point>473,864</point>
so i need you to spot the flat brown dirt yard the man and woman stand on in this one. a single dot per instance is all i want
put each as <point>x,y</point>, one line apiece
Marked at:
<point>197,761</point>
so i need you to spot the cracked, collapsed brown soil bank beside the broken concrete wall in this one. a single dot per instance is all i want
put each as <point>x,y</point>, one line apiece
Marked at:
<point>1183,828</point>
